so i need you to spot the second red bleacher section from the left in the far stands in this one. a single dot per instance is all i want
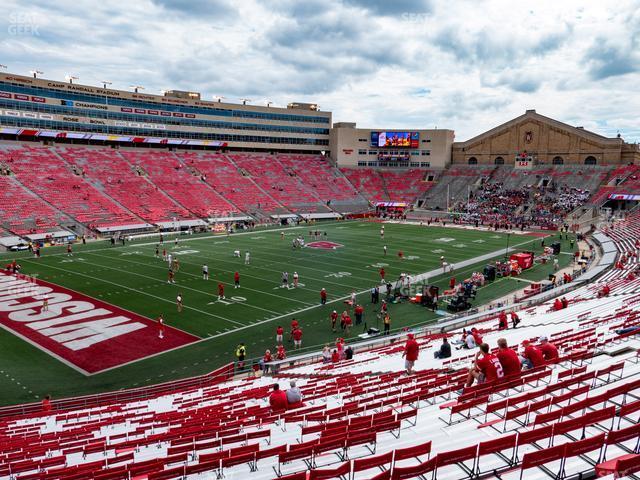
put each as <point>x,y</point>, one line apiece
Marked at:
<point>46,174</point>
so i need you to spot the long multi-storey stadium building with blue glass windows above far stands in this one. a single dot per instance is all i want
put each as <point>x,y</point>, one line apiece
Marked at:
<point>52,109</point>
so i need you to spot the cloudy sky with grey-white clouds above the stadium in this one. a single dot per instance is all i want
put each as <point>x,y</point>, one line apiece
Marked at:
<point>463,65</point>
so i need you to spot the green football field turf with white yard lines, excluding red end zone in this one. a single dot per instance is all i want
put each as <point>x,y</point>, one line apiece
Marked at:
<point>131,277</point>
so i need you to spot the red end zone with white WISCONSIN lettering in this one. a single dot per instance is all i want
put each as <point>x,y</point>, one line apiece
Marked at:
<point>86,333</point>
